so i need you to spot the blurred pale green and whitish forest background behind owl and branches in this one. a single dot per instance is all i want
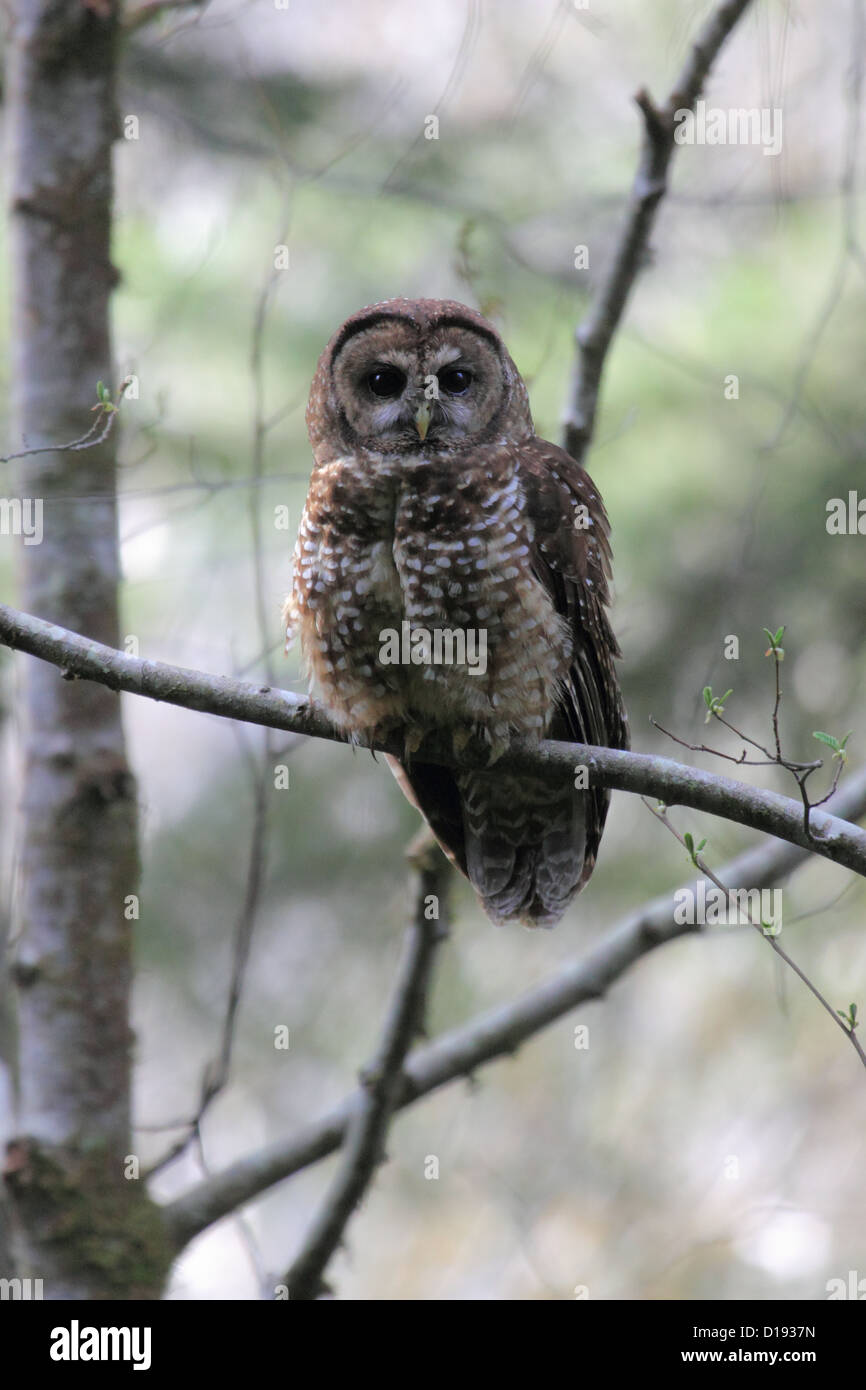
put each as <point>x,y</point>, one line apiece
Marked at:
<point>711,1140</point>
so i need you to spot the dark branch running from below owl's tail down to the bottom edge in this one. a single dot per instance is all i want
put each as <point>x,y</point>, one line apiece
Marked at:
<point>383,1082</point>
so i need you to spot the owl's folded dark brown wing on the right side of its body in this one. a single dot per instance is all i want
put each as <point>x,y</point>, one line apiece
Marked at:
<point>571,555</point>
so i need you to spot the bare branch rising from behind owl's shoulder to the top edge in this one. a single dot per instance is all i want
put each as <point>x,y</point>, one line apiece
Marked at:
<point>597,332</point>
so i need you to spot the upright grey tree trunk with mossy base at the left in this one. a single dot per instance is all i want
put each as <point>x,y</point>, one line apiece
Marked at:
<point>81,1225</point>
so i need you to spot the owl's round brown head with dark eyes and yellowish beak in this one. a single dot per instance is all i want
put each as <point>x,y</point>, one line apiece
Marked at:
<point>415,375</point>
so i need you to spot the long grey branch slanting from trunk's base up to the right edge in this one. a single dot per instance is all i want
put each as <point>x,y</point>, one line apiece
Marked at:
<point>494,1035</point>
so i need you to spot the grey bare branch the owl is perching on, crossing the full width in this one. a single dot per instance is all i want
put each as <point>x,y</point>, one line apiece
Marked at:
<point>640,774</point>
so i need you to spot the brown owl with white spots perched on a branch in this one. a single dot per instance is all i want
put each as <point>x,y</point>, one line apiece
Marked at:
<point>451,575</point>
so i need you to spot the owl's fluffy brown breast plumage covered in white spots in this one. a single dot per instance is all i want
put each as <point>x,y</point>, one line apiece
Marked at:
<point>426,553</point>
